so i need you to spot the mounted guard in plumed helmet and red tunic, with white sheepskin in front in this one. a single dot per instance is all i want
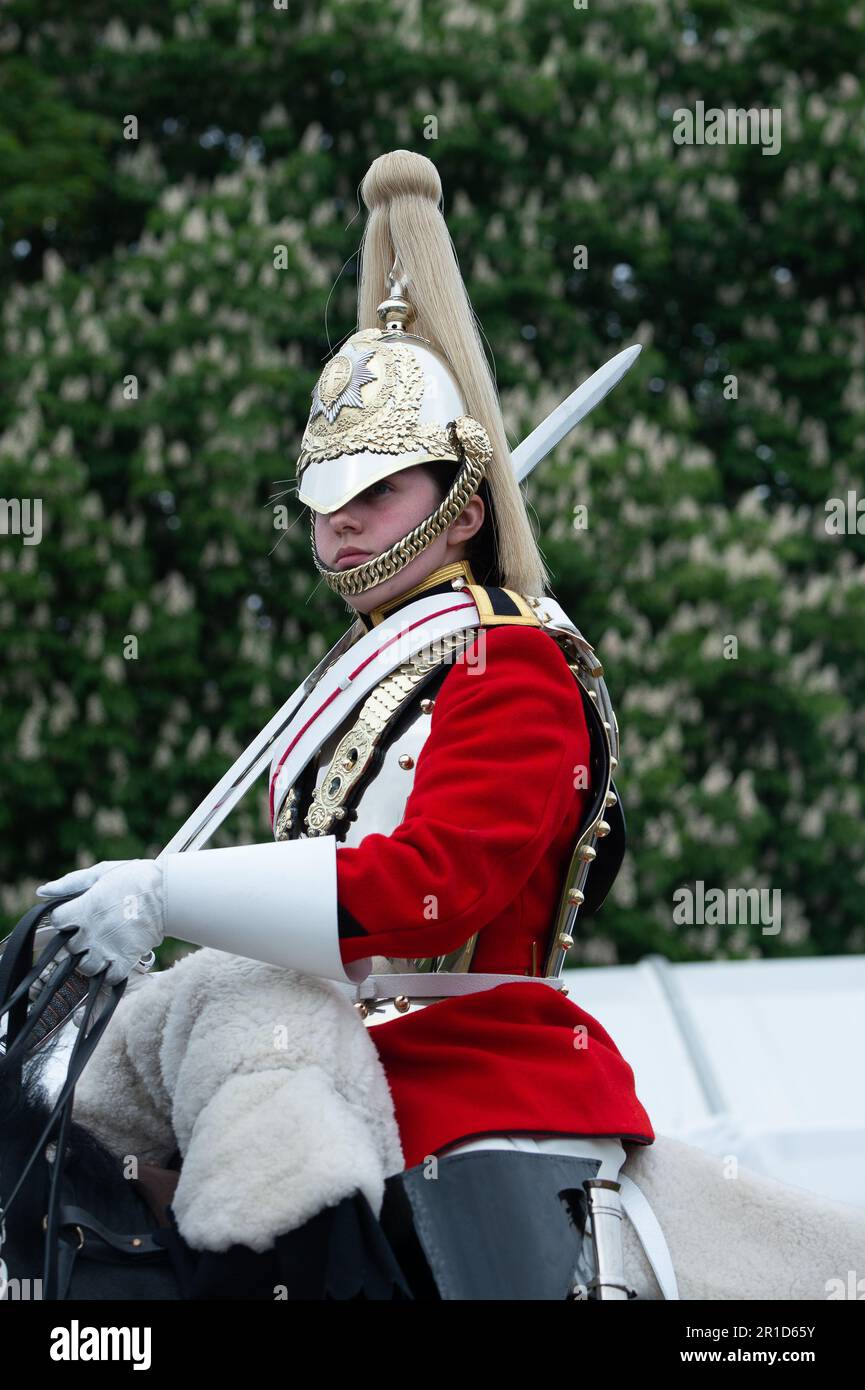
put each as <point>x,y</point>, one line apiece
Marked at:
<point>443,811</point>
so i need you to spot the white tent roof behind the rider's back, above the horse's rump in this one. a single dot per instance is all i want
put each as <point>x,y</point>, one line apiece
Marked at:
<point>761,1060</point>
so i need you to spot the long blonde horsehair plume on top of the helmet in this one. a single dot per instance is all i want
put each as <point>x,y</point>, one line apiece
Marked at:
<point>403,193</point>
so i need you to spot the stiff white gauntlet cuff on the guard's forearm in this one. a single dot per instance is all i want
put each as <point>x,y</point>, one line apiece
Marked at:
<point>275,903</point>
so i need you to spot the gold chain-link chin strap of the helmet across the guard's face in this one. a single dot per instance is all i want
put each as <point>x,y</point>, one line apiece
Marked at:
<point>476,450</point>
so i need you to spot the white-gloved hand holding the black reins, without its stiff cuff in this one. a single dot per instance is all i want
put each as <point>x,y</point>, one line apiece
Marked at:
<point>118,919</point>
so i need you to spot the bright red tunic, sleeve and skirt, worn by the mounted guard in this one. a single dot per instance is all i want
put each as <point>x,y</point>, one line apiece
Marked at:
<point>485,844</point>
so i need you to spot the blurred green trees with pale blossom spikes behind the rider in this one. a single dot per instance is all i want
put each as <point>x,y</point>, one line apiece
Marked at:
<point>169,301</point>
